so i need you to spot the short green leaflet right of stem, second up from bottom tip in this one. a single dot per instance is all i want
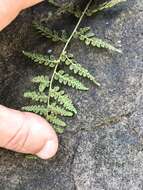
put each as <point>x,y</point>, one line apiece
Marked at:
<point>55,120</point>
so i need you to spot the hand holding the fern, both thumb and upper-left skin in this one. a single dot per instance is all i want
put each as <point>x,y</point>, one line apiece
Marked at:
<point>20,131</point>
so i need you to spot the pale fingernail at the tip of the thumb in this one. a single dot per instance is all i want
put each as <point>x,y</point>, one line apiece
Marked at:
<point>48,150</point>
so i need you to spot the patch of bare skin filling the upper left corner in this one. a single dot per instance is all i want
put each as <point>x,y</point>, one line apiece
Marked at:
<point>9,9</point>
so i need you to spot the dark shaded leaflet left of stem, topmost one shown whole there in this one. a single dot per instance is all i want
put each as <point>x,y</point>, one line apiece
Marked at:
<point>51,34</point>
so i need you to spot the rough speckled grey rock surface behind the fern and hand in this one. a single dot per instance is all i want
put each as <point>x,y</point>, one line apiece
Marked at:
<point>103,149</point>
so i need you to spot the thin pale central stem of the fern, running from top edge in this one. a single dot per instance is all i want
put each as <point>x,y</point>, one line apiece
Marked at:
<point>64,49</point>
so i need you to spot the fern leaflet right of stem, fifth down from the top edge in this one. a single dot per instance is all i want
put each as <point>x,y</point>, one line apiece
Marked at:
<point>63,99</point>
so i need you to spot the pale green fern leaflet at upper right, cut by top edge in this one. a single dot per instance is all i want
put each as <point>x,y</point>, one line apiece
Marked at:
<point>104,6</point>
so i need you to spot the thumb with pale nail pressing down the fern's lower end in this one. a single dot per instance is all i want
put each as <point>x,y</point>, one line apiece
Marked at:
<point>27,133</point>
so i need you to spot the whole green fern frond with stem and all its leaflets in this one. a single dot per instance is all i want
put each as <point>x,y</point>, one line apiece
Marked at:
<point>50,100</point>
